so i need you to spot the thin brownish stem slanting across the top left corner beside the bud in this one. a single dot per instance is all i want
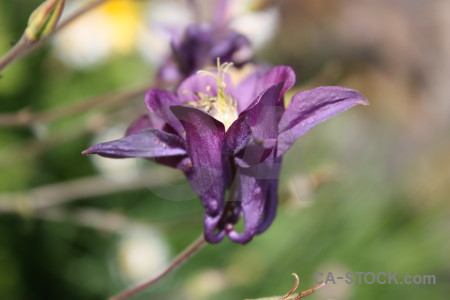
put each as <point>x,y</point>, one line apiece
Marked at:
<point>25,47</point>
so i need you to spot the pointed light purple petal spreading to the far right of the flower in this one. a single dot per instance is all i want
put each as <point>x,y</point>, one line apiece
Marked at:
<point>309,108</point>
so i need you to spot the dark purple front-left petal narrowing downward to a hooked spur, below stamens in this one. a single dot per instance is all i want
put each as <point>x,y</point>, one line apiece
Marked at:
<point>210,176</point>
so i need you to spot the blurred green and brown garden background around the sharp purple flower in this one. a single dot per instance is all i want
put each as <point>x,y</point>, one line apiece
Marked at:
<point>367,191</point>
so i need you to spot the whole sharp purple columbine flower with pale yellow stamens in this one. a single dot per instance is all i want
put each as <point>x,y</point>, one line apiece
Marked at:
<point>229,138</point>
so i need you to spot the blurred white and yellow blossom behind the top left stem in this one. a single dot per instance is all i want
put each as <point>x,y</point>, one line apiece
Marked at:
<point>112,28</point>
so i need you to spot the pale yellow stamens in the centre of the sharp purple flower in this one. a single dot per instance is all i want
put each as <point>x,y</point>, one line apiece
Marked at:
<point>222,106</point>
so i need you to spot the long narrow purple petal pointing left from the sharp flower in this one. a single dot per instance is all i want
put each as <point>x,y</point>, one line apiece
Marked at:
<point>148,143</point>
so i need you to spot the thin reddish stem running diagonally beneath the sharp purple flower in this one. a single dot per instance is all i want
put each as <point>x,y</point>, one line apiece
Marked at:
<point>193,248</point>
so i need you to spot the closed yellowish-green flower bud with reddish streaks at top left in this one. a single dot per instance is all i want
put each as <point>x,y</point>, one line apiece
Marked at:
<point>44,19</point>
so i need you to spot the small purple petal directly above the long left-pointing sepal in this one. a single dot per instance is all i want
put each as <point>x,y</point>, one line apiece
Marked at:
<point>159,102</point>
